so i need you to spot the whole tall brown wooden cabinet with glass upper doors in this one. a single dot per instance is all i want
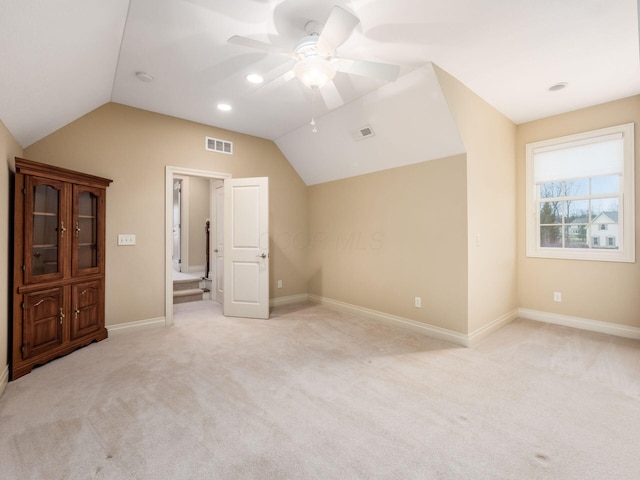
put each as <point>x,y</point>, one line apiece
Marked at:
<point>59,259</point>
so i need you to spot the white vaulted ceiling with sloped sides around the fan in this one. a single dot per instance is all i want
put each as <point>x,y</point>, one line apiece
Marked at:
<point>60,59</point>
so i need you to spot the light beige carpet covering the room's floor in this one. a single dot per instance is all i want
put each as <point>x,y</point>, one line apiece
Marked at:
<point>316,394</point>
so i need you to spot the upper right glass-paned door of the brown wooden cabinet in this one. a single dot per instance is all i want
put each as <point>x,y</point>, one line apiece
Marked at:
<point>87,245</point>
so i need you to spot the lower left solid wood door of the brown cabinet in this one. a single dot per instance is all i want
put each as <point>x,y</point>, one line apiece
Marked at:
<point>42,323</point>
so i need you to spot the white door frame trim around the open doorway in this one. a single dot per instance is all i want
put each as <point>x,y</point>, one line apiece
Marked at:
<point>170,171</point>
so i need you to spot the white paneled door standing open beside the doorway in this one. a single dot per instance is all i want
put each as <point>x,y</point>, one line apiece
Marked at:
<point>246,247</point>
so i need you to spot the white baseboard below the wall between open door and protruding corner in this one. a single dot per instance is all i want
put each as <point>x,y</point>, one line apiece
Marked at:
<point>450,336</point>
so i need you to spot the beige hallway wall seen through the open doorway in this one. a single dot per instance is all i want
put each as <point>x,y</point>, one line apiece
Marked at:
<point>198,214</point>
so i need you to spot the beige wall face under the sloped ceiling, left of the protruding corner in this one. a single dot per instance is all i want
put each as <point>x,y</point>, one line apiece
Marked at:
<point>379,240</point>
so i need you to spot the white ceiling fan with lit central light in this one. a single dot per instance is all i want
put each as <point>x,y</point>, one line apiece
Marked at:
<point>316,59</point>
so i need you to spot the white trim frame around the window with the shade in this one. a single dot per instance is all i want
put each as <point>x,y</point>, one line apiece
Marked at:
<point>626,240</point>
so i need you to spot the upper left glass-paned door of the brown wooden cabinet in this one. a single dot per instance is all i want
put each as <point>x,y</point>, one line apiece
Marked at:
<point>45,229</point>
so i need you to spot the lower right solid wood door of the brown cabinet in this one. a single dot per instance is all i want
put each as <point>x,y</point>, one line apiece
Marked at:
<point>87,309</point>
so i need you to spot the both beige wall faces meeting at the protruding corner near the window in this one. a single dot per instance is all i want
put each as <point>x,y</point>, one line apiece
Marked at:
<point>429,235</point>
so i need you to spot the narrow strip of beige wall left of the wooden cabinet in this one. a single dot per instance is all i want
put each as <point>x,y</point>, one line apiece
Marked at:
<point>9,149</point>
